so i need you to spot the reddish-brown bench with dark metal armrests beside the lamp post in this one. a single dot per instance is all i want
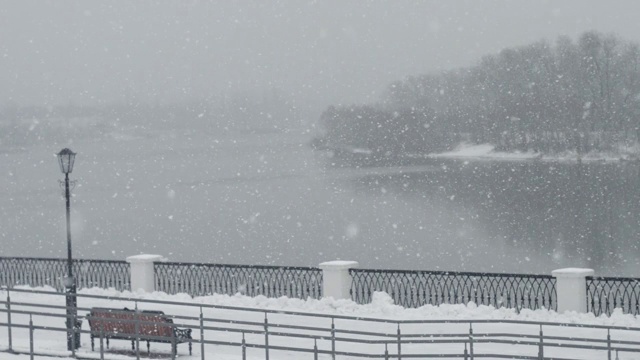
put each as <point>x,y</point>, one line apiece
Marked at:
<point>151,326</point>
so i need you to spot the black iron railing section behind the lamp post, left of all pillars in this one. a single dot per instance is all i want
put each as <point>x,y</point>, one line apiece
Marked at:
<point>51,272</point>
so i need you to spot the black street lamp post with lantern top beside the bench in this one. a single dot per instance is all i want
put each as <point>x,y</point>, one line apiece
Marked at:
<point>66,158</point>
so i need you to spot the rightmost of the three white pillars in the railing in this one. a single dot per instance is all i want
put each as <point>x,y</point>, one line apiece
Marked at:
<point>571,288</point>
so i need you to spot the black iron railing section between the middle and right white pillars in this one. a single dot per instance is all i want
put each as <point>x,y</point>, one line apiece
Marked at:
<point>417,288</point>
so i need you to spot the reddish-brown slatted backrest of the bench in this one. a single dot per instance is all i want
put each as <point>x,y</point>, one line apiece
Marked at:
<point>118,321</point>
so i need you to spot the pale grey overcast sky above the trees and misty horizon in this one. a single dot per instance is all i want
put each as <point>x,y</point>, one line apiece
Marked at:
<point>319,52</point>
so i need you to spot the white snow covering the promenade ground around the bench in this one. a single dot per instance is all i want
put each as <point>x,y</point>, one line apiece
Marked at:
<point>361,318</point>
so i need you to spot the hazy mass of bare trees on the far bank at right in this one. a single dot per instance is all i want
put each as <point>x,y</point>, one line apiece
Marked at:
<point>578,96</point>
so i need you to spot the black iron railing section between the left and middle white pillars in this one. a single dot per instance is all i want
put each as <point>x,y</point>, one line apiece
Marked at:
<point>271,281</point>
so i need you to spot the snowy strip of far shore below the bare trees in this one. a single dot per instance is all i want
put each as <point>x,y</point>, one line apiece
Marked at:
<point>488,152</point>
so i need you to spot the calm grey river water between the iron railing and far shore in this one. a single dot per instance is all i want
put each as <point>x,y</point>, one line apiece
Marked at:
<point>267,198</point>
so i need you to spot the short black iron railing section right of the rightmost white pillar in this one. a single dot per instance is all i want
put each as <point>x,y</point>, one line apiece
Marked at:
<point>604,294</point>
